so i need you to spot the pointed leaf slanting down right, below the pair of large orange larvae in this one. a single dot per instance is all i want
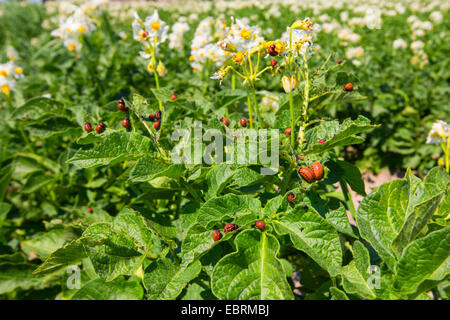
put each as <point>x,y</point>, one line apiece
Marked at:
<point>314,235</point>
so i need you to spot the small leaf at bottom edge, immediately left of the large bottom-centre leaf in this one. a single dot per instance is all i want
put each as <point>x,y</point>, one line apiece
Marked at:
<point>164,280</point>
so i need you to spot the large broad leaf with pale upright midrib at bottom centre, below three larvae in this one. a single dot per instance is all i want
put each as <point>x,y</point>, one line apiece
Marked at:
<point>253,272</point>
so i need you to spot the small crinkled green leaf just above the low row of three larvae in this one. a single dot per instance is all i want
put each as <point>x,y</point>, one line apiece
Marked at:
<point>239,208</point>
